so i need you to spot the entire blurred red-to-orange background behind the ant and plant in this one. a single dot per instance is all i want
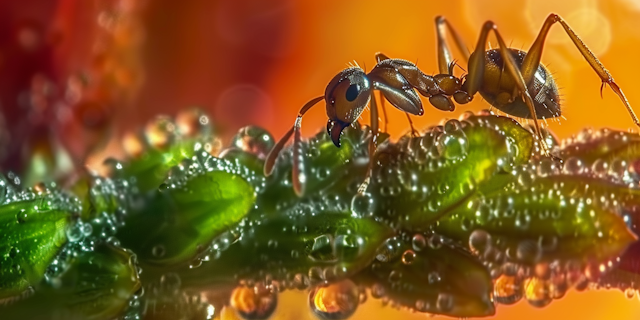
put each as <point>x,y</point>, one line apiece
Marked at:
<point>114,64</point>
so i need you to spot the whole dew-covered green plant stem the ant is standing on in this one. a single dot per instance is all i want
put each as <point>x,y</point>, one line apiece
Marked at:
<point>457,221</point>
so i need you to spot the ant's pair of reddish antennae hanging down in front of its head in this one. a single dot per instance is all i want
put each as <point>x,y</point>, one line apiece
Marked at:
<point>298,175</point>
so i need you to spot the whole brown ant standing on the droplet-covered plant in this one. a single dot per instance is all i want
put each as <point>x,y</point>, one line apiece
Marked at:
<point>527,90</point>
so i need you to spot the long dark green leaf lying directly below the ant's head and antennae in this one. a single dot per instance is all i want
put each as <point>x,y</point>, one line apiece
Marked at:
<point>312,247</point>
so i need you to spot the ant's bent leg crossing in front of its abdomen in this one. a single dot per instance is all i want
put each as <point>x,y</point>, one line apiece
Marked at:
<point>476,72</point>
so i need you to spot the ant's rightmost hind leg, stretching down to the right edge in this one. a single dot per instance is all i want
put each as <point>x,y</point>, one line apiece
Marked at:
<point>532,60</point>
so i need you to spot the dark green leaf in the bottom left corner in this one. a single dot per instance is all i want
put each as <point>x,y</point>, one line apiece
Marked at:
<point>96,286</point>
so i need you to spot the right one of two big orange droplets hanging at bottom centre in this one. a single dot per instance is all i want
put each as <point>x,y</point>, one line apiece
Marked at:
<point>335,301</point>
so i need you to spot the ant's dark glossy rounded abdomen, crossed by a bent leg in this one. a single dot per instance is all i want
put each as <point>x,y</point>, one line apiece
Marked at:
<point>497,88</point>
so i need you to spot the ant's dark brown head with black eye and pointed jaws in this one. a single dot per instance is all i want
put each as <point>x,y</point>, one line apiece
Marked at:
<point>346,96</point>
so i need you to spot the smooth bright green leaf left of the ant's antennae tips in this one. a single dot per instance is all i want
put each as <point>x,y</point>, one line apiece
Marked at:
<point>179,223</point>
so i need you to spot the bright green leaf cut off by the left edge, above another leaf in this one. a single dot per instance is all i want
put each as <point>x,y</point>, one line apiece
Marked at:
<point>33,231</point>
